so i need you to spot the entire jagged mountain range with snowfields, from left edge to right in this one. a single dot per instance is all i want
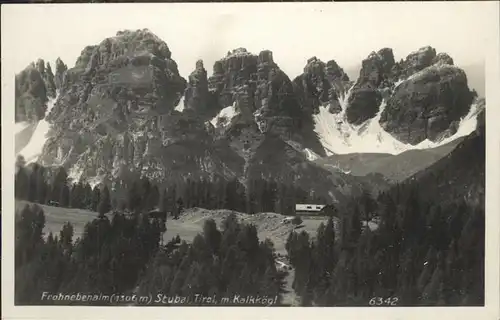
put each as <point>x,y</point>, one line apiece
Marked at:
<point>124,111</point>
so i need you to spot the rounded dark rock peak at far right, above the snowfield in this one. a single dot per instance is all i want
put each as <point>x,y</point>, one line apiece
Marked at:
<point>429,104</point>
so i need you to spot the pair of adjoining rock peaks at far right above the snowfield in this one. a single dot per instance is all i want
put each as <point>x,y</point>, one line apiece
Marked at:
<point>425,95</point>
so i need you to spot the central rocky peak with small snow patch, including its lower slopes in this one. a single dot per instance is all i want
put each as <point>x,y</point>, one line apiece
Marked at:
<point>266,127</point>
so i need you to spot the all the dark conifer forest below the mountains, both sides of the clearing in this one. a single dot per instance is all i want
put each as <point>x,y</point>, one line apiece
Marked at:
<point>424,252</point>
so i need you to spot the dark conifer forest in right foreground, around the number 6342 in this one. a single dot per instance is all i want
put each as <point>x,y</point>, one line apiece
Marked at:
<point>424,253</point>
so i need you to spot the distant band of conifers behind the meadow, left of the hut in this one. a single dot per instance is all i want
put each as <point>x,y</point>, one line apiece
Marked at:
<point>34,183</point>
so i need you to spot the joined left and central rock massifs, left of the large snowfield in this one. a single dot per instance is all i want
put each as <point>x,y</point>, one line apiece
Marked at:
<point>115,118</point>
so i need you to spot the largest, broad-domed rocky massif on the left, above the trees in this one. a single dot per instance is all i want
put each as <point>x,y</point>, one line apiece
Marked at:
<point>126,84</point>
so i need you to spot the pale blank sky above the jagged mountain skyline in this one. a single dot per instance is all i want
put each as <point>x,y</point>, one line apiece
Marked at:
<point>345,32</point>
